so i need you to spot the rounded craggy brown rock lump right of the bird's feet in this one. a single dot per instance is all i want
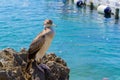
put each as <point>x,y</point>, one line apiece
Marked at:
<point>58,67</point>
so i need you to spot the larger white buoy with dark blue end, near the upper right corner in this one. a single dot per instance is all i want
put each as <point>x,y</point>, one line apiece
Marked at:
<point>106,10</point>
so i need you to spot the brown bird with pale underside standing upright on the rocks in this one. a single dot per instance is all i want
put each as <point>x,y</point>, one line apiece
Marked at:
<point>40,44</point>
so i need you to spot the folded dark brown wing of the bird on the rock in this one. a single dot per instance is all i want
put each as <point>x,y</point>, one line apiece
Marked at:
<point>36,45</point>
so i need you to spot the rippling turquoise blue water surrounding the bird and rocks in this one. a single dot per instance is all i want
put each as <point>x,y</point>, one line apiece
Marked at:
<point>89,43</point>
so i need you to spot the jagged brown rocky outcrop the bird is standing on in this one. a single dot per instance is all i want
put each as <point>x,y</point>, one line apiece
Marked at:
<point>12,67</point>
